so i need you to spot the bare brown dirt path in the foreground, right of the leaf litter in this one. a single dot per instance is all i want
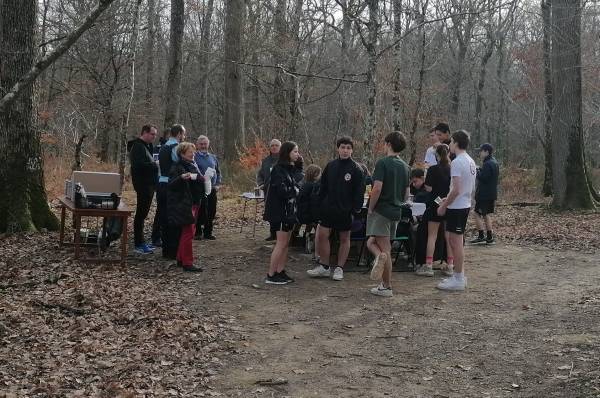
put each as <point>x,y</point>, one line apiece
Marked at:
<point>528,326</point>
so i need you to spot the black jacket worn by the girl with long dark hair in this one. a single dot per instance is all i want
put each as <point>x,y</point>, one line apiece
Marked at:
<point>281,205</point>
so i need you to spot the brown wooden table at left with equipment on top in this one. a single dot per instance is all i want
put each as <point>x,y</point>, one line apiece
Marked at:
<point>121,212</point>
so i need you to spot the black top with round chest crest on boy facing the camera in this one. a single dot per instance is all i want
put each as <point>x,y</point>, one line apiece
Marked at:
<point>342,187</point>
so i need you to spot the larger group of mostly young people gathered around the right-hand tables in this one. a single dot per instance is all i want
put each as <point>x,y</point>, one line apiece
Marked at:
<point>334,198</point>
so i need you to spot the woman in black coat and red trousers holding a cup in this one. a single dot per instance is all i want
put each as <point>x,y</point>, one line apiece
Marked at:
<point>184,195</point>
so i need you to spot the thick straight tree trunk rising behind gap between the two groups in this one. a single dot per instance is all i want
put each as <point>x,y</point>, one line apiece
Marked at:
<point>233,115</point>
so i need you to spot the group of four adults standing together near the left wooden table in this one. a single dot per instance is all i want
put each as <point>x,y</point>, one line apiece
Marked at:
<point>185,178</point>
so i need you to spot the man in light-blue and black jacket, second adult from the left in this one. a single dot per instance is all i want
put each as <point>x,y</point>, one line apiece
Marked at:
<point>167,156</point>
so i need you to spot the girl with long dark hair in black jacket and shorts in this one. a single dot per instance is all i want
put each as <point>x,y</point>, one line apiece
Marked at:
<point>281,210</point>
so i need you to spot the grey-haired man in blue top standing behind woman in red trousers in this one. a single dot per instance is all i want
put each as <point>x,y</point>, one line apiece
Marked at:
<point>208,207</point>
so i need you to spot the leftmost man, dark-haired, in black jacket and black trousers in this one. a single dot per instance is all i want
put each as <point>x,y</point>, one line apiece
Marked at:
<point>144,173</point>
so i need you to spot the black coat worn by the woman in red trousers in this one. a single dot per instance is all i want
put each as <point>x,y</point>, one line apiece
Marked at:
<point>182,194</point>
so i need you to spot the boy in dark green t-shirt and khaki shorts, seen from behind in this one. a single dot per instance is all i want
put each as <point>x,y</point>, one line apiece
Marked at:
<point>391,180</point>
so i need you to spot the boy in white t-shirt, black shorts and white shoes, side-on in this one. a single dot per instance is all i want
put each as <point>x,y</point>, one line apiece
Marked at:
<point>456,206</point>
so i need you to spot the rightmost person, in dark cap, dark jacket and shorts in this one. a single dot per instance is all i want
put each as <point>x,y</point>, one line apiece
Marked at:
<point>486,194</point>
